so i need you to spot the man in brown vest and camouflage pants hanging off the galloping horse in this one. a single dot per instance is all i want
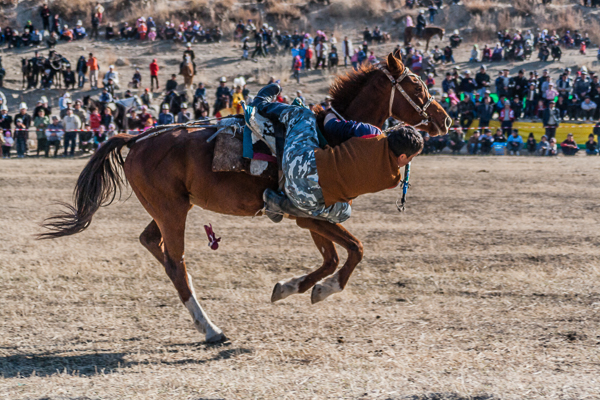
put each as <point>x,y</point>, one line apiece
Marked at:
<point>319,183</point>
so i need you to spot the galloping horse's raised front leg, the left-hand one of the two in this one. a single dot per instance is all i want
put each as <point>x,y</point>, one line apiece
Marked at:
<point>301,284</point>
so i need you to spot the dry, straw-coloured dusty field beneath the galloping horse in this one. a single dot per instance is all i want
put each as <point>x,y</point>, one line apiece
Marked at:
<point>486,288</point>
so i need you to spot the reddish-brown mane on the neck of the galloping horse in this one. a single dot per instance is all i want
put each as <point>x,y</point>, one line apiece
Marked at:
<point>347,86</point>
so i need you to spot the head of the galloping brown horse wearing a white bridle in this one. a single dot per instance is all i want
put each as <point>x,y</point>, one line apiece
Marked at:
<point>409,99</point>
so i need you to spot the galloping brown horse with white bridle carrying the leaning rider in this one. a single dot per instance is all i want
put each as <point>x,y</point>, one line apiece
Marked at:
<point>172,171</point>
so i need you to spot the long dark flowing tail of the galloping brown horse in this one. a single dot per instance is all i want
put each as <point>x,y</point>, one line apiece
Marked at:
<point>97,185</point>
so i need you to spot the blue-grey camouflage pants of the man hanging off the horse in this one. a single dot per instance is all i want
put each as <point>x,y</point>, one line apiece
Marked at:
<point>300,166</point>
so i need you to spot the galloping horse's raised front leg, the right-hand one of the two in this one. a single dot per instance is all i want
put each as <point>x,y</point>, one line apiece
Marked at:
<point>338,234</point>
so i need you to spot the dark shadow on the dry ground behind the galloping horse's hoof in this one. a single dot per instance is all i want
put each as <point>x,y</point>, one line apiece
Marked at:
<point>93,363</point>
